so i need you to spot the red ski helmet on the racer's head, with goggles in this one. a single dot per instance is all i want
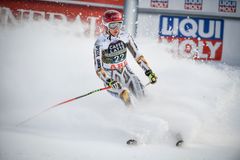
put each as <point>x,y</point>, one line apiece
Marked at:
<point>112,19</point>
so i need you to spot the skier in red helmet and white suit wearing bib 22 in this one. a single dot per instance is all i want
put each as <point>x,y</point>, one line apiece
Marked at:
<point>110,51</point>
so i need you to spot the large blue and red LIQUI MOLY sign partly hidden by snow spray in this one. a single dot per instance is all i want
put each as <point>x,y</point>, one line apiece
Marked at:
<point>199,38</point>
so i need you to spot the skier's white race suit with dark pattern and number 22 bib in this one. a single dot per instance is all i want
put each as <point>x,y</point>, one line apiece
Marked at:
<point>110,54</point>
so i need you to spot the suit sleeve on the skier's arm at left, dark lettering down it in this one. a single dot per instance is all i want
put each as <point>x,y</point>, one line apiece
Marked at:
<point>98,62</point>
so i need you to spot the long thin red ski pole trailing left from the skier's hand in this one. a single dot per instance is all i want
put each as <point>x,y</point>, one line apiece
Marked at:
<point>61,103</point>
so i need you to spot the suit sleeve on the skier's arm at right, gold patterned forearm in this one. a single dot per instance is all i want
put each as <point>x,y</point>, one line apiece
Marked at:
<point>131,45</point>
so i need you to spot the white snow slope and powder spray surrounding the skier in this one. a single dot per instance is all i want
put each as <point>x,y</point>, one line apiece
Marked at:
<point>42,64</point>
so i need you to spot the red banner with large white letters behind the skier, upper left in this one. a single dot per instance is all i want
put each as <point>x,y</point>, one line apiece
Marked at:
<point>88,16</point>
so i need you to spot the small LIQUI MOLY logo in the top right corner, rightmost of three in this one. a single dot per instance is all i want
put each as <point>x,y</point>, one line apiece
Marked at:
<point>227,6</point>
